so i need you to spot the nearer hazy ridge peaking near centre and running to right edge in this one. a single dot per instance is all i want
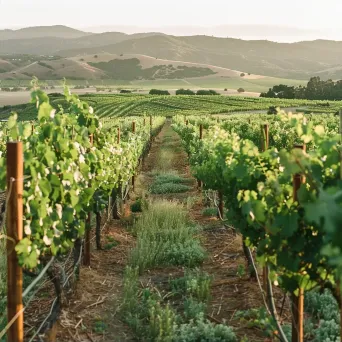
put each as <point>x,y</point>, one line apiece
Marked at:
<point>297,60</point>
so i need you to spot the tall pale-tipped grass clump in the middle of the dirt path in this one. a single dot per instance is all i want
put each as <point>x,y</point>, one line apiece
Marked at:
<point>165,237</point>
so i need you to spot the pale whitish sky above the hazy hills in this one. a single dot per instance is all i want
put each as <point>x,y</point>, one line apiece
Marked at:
<point>315,18</point>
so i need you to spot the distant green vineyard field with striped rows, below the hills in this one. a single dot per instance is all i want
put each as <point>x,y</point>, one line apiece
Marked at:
<point>118,105</point>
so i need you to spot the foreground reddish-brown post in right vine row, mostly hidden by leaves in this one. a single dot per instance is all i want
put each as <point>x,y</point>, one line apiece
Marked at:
<point>297,306</point>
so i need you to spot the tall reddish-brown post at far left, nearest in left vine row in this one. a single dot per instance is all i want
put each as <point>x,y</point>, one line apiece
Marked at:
<point>15,234</point>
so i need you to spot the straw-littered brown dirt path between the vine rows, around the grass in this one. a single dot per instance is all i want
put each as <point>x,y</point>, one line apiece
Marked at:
<point>92,314</point>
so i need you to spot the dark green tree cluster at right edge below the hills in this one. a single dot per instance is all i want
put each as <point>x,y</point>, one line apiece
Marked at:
<point>316,89</point>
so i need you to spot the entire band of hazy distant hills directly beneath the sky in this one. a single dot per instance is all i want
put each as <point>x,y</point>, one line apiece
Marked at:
<point>260,57</point>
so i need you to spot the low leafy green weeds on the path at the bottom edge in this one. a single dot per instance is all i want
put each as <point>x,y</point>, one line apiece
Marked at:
<point>154,320</point>
